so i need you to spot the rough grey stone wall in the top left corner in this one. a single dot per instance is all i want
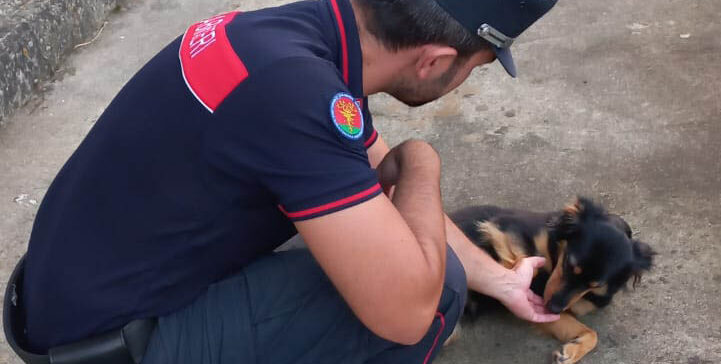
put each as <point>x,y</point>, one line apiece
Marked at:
<point>35,37</point>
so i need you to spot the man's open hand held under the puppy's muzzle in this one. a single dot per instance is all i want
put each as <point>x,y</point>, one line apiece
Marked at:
<point>514,292</point>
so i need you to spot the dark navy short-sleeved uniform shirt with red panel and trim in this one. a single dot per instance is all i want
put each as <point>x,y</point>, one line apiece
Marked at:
<point>246,123</point>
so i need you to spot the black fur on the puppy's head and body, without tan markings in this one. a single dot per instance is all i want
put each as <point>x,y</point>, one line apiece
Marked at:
<point>600,244</point>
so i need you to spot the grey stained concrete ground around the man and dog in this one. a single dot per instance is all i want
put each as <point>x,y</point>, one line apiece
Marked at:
<point>618,100</point>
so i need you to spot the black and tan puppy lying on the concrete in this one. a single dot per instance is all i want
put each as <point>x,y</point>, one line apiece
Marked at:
<point>590,255</point>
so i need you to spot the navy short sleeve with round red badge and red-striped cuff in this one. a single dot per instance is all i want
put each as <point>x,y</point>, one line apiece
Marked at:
<point>294,129</point>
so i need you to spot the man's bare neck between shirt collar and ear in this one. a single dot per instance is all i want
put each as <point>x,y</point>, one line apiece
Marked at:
<point>380,66</point>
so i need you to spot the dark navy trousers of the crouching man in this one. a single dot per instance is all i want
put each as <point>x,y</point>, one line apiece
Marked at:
<point>282,309</point>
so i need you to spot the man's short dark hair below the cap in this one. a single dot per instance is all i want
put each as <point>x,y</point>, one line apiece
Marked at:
<point>402,24</point>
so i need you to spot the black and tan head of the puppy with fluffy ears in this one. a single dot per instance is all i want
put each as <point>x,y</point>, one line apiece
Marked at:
<point>595,253</point>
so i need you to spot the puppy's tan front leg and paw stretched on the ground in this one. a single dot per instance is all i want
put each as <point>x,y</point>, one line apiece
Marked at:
<point>578,338</point>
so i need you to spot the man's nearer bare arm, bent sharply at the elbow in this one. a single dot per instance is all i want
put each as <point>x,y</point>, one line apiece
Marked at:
<point>387,258</point>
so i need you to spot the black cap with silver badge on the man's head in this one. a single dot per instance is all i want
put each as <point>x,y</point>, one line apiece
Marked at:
<point>498,21</point>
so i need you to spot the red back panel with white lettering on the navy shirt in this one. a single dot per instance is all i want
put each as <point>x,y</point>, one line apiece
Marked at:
<point>210,66</point>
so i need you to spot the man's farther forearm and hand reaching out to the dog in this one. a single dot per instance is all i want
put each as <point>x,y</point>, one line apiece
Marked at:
<point>485,275</point>
